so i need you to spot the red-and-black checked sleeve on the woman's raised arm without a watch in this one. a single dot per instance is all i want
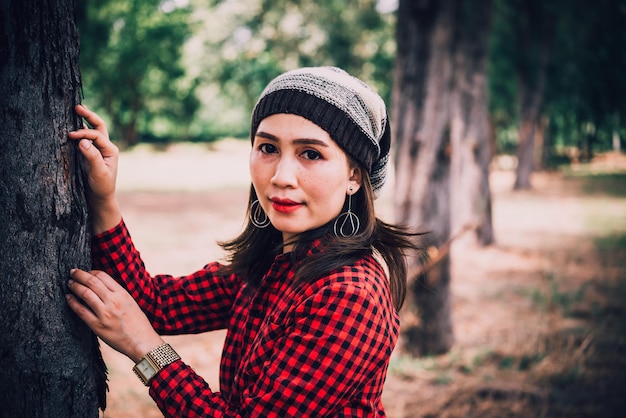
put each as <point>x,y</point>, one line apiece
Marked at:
<point>195,303</point>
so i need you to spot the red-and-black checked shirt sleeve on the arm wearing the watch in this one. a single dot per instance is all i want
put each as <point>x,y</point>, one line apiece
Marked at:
<point>337,347</point>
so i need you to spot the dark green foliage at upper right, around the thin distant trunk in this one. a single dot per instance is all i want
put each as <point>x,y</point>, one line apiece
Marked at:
<point>585,88</point>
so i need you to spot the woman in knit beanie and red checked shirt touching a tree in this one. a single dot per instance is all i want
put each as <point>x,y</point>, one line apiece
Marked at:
<point>311,316</point>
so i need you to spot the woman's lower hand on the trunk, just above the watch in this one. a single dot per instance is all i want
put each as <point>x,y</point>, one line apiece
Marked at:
<point>111,313</point>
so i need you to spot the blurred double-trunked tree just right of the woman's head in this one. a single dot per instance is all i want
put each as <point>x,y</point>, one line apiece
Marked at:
<point>441,140</point>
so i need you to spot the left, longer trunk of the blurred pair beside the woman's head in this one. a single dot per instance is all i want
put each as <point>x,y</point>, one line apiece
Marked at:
<point>421,109</point>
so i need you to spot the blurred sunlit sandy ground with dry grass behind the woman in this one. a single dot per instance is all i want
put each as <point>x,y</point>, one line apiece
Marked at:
<point>539,317</point>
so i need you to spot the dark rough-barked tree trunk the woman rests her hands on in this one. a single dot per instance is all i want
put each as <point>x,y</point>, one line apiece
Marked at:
<point>51,363</point>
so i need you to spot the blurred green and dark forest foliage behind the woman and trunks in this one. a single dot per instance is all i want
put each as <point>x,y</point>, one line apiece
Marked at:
<point>191,70</point>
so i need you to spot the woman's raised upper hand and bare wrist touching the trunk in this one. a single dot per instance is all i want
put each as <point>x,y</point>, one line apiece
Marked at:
<point>101,157</point>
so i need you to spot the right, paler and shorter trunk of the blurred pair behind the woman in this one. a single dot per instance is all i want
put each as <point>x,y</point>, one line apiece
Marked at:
<point>471,156</point>
